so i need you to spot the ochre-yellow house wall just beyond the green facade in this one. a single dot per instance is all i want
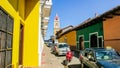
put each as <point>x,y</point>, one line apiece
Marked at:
<point>71,38</point>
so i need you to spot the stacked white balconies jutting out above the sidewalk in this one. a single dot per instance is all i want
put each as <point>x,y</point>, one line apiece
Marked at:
<point>45,13</point>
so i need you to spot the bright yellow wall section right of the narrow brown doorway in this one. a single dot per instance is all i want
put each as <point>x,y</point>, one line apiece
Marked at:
<point>31,34</point>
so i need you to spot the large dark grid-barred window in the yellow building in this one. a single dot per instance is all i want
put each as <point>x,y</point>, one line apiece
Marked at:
<point>6,36</point>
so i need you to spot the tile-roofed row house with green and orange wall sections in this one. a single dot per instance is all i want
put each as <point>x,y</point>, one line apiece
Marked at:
<point>101,31</point>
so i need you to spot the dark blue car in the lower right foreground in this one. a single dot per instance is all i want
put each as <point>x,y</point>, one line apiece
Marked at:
<point>99,58</point>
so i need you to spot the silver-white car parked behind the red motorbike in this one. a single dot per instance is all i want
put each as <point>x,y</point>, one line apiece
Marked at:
<point>62,48</point>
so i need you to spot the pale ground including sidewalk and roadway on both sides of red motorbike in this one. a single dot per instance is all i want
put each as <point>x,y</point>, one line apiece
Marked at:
<point>50,60</point>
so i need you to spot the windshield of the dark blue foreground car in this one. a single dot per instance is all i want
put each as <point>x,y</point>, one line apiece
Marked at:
<point>106,55</point>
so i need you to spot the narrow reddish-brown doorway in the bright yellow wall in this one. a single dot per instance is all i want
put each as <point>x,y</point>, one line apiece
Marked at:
<point>21,45</point>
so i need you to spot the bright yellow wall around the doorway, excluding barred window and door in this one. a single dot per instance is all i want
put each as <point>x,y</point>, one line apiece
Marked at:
<point>30,19</point>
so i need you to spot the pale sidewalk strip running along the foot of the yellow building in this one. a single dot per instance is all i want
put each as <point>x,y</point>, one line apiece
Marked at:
<point>49,60</point>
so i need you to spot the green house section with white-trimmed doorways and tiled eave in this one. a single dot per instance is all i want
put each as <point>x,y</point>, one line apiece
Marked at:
<point>90,34</point>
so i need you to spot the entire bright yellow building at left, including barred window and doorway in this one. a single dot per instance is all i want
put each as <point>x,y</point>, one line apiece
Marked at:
<point>19,33</point>
